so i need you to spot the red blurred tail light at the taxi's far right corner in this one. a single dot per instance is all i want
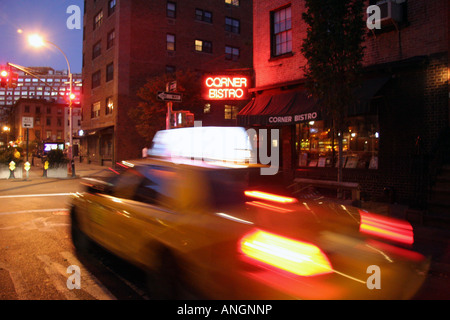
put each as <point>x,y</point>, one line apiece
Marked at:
<point>387,228</point>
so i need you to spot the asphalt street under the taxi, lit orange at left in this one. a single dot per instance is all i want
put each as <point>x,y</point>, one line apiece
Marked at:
<point>37,258</point>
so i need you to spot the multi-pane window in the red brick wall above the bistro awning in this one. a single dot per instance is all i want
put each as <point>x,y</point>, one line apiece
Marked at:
<point>281,32</point>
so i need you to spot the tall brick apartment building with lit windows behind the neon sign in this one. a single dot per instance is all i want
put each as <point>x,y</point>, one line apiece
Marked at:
<point>127,42</point>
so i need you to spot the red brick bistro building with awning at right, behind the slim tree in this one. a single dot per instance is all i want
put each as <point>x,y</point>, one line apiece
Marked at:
<point>396,134</point>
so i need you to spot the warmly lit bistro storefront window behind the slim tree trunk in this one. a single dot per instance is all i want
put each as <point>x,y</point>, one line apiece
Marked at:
<point>316,146</point>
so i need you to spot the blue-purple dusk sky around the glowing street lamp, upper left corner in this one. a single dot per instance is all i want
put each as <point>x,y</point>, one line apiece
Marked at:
<point>48,18</point>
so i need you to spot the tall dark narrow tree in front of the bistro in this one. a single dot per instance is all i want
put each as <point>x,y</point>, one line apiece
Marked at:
<point>334,50</point>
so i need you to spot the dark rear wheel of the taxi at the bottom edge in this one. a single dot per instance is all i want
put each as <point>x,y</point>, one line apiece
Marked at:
<point>165,282</point>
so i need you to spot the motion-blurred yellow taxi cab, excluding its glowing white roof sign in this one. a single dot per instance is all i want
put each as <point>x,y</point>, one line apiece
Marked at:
<point>196,225</point>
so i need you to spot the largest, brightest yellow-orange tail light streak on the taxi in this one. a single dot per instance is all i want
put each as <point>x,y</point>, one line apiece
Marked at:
<point>294,256</point>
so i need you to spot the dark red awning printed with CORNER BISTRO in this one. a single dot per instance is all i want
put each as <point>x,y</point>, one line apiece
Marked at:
<point>279,109</point>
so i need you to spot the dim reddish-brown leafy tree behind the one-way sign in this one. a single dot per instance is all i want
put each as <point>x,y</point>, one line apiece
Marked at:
<point>150,113</point>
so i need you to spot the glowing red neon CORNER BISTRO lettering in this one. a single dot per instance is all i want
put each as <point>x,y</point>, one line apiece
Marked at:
<point>226,87</point>
